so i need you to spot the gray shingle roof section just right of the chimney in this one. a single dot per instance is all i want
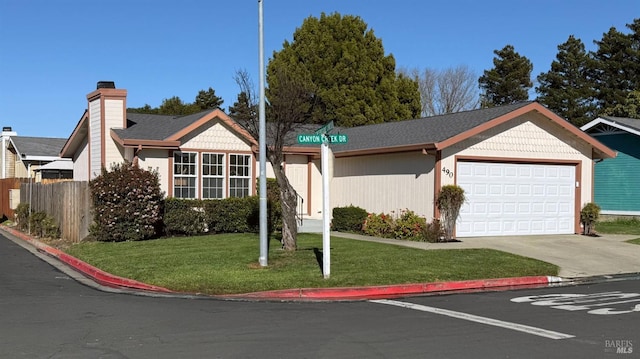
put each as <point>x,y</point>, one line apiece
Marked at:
<point>156,127</point>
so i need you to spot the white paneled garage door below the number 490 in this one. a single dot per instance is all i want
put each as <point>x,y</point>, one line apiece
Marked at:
<point>516,199</point>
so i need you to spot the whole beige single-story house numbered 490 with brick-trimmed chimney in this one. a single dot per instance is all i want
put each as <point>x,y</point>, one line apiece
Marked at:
<point>524,169</point>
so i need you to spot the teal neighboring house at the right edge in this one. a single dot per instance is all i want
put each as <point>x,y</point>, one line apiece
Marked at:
<point>617,181</point>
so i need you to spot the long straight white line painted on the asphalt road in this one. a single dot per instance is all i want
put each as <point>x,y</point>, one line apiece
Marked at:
<point>474,318</point>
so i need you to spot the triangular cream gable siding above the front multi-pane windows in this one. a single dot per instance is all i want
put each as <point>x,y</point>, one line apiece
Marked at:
<point>215,136</point>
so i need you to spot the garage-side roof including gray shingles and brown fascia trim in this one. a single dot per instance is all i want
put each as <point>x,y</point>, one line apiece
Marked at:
<point>439,132</point>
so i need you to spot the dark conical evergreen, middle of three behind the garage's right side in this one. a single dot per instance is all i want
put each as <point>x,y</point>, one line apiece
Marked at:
<point>566,89</point>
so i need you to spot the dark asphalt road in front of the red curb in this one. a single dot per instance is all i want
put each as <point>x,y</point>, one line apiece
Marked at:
<point>46,313</point>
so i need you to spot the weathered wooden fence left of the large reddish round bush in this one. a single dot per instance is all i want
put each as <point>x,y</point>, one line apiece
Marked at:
<point>69,203</point>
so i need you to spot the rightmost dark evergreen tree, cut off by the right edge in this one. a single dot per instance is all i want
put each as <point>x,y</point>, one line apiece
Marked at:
<point>616,69</point>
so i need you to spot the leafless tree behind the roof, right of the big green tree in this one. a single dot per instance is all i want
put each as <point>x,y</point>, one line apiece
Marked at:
<point>446,91</point>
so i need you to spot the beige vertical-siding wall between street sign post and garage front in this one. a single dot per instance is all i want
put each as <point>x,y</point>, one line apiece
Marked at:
<point>384,183</point>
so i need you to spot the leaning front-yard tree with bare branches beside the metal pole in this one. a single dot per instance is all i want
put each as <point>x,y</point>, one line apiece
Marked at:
<point>286,112</point>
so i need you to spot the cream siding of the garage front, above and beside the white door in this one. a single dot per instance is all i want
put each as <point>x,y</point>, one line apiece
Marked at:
<point>529,137</point>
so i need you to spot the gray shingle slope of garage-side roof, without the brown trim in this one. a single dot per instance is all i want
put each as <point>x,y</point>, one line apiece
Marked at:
<point>426,130</point>
